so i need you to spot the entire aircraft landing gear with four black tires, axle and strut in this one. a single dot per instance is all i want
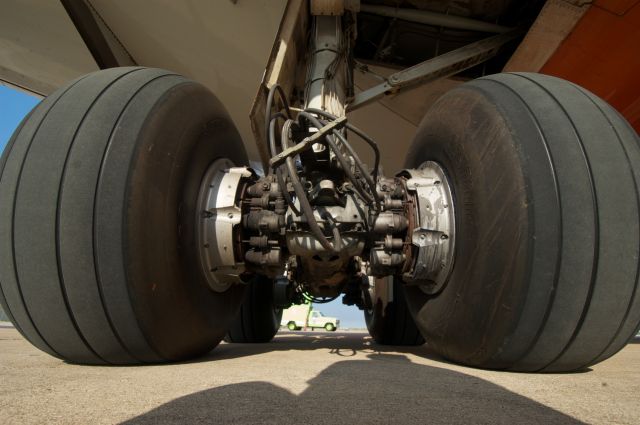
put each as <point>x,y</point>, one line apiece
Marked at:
<point>133,230</point>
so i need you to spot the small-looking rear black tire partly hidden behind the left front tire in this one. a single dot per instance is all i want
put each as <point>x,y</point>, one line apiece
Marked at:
<point>258,320</point>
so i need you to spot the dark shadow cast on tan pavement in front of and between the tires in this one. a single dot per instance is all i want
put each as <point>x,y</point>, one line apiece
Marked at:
<point>384,388</point>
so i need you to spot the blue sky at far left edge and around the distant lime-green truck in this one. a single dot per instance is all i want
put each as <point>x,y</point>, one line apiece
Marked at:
<point>14,105</point>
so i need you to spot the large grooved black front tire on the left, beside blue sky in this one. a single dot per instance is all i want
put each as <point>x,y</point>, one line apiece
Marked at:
<point>98,189</point>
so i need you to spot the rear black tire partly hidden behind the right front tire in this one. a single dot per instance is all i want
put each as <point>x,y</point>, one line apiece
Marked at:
<point>389,322</point>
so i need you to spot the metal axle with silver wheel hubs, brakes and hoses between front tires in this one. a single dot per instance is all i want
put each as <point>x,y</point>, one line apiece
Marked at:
<point>401,226</point>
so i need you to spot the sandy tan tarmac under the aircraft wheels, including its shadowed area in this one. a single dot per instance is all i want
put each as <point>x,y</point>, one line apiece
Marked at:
<point>310,378</point>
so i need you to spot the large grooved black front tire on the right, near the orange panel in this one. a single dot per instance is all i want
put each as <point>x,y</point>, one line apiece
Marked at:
<point>545,178</point>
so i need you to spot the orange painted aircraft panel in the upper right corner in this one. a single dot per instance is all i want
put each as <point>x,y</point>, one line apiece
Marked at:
<point>602,54</point>
